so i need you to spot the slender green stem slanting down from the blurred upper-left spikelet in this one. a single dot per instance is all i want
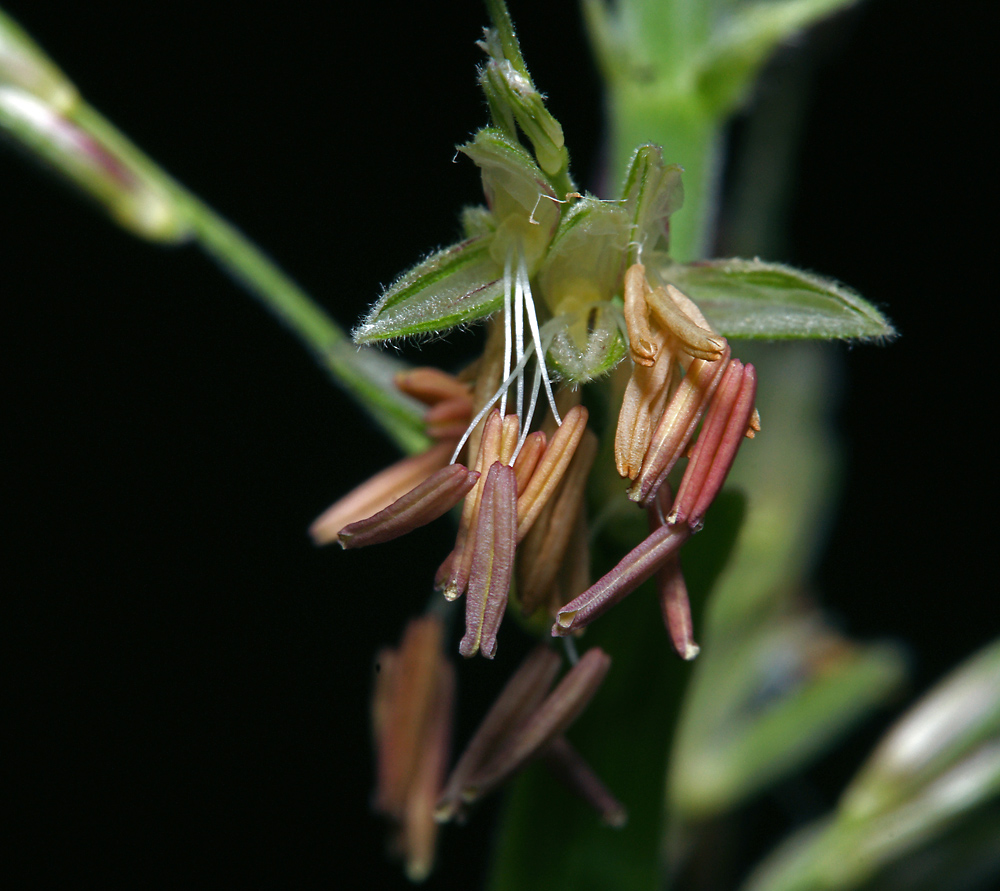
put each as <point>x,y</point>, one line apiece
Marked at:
<point>363,373</point>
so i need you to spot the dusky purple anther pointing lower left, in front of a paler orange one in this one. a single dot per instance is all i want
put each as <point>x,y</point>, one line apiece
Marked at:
<point>434,497</point>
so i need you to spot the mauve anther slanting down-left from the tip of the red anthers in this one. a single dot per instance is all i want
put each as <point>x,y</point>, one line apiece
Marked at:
<point>637,566</point>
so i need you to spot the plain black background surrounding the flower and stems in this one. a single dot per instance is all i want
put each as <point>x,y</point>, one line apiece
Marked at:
<point>190,676</point>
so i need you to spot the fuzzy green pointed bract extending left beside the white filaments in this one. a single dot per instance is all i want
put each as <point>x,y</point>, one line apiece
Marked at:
<point>459,284</point>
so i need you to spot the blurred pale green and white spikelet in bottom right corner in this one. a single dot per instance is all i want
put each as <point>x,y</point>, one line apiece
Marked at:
<point>938,766</point>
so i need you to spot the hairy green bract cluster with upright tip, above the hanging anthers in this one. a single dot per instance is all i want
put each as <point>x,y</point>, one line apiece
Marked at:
<point>576,248</point>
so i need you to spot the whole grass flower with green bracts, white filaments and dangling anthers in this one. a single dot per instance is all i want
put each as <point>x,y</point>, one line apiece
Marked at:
<point>570,286</point>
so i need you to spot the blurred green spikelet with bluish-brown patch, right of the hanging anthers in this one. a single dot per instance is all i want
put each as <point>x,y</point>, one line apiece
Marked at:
<point>770,703</point>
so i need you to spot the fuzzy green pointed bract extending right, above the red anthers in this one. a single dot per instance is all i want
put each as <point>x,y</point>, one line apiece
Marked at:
<point>754,299</point>
